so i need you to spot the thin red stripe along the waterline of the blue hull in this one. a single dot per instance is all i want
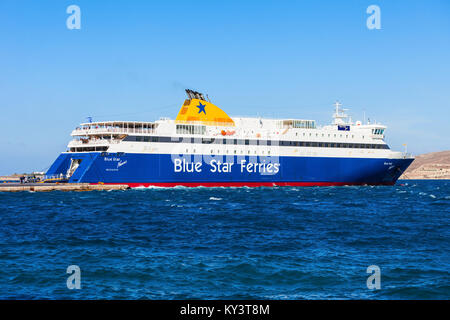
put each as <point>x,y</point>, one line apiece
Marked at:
<point>245,184</point>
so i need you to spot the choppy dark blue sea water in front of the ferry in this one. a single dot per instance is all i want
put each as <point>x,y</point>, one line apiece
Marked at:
<point>228,243</point>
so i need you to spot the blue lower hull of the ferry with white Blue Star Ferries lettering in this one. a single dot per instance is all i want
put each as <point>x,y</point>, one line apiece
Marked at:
<point>160,170</point>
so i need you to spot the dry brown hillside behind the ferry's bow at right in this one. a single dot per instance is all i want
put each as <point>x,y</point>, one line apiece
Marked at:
<point>435,165</point>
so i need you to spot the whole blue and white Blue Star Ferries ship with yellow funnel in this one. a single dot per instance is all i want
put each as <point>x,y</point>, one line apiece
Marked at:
<point>204,146</point>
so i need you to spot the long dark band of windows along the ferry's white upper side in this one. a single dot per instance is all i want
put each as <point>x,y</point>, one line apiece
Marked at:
<point>258,142</point>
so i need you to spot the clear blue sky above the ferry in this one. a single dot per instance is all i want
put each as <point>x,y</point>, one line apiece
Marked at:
<point>132,60</point>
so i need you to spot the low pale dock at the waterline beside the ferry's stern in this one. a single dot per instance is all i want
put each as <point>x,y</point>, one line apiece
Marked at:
<point>45,187</point>
